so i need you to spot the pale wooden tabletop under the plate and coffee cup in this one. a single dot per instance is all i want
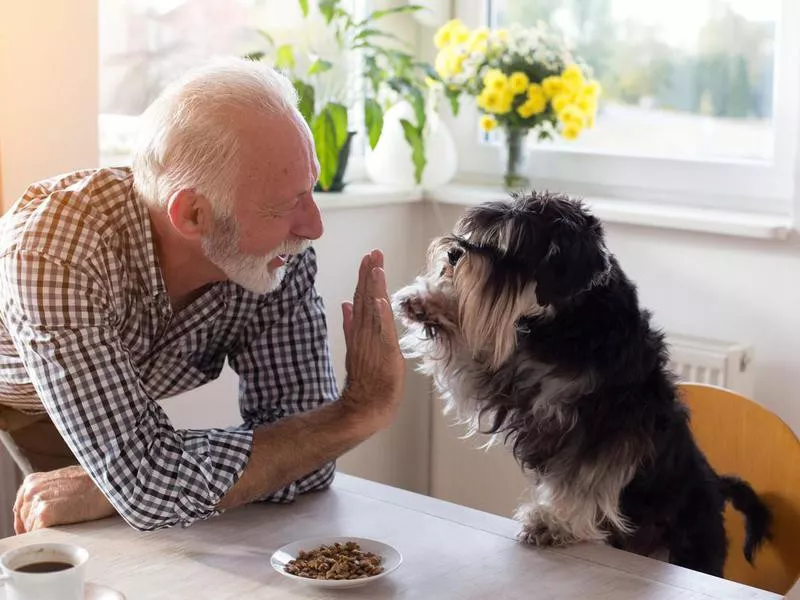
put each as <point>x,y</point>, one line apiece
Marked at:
<point>449,552</point>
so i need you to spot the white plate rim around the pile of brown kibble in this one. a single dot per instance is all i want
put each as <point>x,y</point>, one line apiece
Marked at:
<point>282,556</point>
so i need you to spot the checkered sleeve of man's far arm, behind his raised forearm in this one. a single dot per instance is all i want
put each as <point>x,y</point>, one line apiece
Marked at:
<point>283,361</point>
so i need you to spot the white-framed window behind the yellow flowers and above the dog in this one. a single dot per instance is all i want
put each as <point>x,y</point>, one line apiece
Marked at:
<point>699,99</point>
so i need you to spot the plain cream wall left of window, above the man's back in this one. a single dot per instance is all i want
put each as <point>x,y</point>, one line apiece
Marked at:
<point>48,90</point>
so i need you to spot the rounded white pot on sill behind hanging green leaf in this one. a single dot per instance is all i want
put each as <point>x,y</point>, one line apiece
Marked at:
<point>390,162</point>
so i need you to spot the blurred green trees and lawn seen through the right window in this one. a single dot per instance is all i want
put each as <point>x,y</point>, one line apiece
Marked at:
<point>727,74</point>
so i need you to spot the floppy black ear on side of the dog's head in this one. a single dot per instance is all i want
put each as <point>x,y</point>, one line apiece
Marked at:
<point>576,259</point>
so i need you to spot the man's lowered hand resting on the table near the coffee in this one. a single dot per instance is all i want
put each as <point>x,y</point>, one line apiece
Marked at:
<point>58,497</point>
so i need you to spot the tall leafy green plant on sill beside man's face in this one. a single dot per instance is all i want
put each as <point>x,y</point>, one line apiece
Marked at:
<point>328,85</point>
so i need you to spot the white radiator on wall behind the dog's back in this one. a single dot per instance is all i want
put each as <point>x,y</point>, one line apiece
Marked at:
<point>715,362</point>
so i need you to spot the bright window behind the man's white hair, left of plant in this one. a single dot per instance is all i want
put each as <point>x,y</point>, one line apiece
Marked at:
<point>144,44</point>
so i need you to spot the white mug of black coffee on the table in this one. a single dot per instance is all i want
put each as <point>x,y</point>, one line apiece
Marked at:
<point>30,572</point>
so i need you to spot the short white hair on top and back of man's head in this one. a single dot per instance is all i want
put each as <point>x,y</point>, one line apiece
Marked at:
<point>187,140</point>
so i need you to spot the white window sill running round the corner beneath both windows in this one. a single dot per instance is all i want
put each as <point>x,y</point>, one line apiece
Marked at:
<point>642,214</point>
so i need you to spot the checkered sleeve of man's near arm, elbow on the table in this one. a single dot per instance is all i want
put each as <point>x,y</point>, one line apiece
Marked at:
<point>64,325</point>
